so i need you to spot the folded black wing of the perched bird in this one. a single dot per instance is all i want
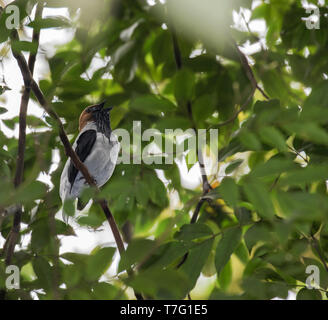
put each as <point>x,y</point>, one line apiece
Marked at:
<point>84,145</point>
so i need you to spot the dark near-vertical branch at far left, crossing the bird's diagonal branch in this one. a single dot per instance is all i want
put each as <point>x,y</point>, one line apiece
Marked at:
<point>11,240</point>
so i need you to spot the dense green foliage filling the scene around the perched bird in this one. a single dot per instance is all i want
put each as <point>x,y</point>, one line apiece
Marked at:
<point>265,219</point>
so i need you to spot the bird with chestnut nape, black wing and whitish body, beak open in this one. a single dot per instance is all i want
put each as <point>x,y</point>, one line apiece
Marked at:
<point>97,147</point>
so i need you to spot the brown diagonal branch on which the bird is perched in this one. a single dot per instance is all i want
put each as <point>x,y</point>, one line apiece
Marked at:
<point>30,82</point>
